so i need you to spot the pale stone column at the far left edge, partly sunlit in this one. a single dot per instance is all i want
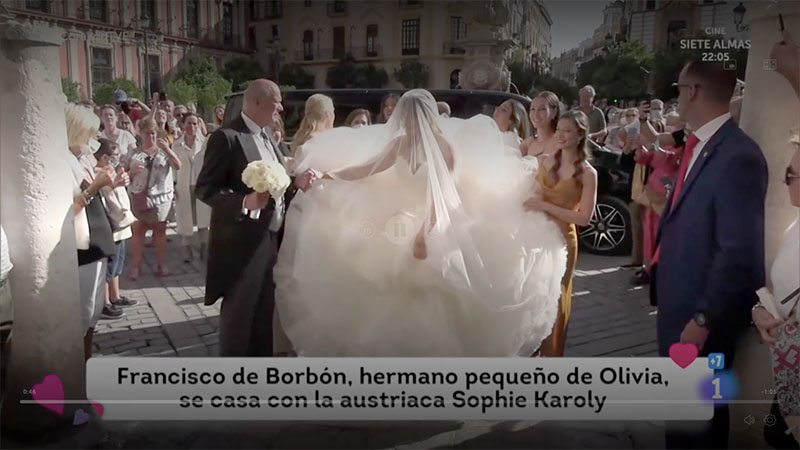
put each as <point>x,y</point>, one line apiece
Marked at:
<point>35,207</point>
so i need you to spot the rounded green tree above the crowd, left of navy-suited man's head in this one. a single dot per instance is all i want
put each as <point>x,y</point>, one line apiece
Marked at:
<point>618,73</point>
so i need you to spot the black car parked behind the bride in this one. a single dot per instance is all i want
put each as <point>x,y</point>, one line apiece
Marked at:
<point>608,233</point>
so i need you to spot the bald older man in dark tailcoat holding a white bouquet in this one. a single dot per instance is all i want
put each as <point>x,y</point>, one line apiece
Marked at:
<point>245,225</point>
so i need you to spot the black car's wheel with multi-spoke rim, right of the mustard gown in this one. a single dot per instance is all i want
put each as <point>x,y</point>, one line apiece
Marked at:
<point>609,230</point>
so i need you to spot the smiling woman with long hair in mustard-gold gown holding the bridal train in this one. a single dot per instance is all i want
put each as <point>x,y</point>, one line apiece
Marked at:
<point>569,193</point>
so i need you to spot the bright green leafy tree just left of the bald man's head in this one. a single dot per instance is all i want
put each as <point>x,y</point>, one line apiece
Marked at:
<point>210,86</point>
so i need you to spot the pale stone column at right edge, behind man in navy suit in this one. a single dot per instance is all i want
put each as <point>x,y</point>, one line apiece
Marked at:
<point>771,111</point>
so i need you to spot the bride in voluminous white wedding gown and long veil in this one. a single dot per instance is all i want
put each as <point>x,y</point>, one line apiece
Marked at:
<point>414,242</point>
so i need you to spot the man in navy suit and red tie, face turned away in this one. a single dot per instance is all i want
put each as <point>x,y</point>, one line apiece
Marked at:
<point>710,257</point>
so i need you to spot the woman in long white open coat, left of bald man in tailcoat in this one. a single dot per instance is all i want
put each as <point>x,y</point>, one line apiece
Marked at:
<point>190,148</point>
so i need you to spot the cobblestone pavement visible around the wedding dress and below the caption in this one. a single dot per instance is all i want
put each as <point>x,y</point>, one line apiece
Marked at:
<point>609,319</point>
